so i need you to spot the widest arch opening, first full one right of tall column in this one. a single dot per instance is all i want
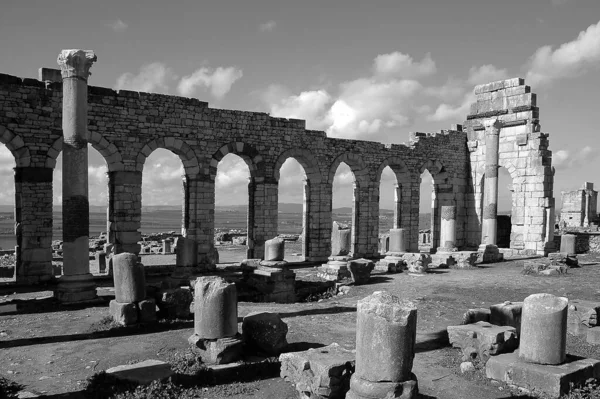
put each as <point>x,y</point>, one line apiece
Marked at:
<point>162,204</point>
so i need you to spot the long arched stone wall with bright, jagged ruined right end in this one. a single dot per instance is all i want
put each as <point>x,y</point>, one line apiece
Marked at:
<point>126,127</point>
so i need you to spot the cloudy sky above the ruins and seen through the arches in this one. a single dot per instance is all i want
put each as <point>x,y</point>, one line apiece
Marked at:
<point>362,70</point>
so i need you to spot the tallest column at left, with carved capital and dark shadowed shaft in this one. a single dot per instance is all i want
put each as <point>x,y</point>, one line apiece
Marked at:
<point>76,284</point>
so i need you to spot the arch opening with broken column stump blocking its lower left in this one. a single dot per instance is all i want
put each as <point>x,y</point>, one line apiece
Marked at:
<point>343,202</point>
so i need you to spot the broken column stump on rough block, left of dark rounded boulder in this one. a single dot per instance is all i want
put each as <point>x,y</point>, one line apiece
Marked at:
<point>216,338</point>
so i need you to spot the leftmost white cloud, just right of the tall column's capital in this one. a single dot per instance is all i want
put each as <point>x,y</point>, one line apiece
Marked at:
<point>154,77</point>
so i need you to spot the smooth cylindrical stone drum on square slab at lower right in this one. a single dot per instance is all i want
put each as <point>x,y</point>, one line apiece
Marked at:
<point>544,329</point>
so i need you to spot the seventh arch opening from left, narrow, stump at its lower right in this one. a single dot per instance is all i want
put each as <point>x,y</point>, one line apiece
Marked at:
<point>387,203</point>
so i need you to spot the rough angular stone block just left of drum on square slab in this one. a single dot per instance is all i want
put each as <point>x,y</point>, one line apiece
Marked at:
<point>482,340</point>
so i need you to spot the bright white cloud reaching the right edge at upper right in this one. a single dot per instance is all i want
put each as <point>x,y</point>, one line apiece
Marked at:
<point>569,60</point>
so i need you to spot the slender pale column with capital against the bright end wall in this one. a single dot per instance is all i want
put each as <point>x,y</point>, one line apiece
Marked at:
<point>490,195</point>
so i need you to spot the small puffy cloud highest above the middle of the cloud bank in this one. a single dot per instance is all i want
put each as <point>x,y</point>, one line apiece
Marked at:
<point>403,66</point>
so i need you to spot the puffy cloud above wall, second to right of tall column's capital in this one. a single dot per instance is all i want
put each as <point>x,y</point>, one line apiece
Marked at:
<point>218,81</point>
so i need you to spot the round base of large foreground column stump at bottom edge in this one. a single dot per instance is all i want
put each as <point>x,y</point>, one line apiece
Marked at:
<point>364,389</point>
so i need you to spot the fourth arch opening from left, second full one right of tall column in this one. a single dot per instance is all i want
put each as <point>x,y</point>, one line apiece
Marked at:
<point>231,209</point>
